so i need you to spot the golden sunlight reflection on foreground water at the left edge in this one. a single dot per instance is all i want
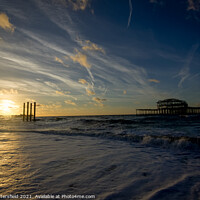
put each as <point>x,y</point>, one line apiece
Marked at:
<point>12,163</point>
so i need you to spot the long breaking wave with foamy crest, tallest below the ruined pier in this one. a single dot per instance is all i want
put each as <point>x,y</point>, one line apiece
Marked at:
<point>163,141</point>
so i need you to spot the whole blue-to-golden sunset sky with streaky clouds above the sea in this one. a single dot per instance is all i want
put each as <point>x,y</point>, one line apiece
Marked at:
<point>96,57</point>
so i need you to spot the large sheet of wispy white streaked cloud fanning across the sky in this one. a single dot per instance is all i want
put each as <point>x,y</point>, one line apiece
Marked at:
<point>108,75</point>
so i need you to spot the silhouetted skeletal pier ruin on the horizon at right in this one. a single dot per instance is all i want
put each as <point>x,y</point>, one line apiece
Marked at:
<point>170,107</point>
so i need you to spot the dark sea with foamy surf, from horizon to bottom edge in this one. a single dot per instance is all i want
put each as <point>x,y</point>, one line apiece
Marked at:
<point>124,157</point>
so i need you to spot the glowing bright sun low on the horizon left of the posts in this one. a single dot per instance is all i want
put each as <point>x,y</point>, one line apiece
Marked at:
<point>8,107</point>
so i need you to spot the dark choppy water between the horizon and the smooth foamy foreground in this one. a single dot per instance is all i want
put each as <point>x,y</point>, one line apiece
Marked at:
<point>158,131</point>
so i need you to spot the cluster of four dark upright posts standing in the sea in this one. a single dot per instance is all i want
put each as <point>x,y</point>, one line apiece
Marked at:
<point>28,115</point>
